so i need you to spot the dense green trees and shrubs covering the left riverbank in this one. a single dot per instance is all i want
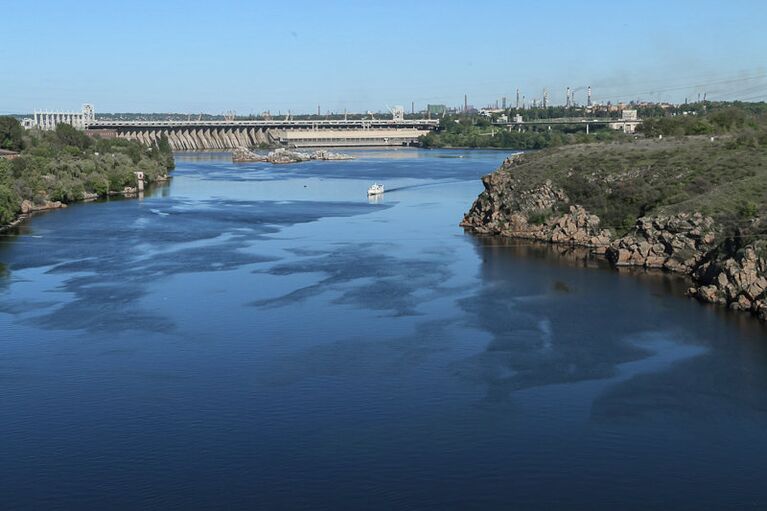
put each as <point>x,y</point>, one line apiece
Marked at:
<point>67,165</point>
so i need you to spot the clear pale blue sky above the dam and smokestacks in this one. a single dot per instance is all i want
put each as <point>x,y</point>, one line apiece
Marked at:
<point>251,56</point>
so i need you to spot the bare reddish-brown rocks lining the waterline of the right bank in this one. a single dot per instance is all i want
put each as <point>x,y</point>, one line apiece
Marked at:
<point>722,271</point>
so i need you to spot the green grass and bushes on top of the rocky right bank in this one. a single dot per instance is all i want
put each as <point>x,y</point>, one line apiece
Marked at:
<point>725,178</point>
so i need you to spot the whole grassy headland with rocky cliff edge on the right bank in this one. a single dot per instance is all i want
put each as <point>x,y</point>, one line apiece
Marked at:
<point>652,205</point>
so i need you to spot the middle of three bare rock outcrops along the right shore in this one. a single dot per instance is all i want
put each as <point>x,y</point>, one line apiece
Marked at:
<point>676,243</point>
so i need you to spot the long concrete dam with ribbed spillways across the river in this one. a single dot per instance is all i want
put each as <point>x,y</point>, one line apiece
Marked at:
<point>229,134</point>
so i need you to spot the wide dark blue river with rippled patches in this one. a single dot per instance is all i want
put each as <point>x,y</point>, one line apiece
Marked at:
<point>265,337</point>
